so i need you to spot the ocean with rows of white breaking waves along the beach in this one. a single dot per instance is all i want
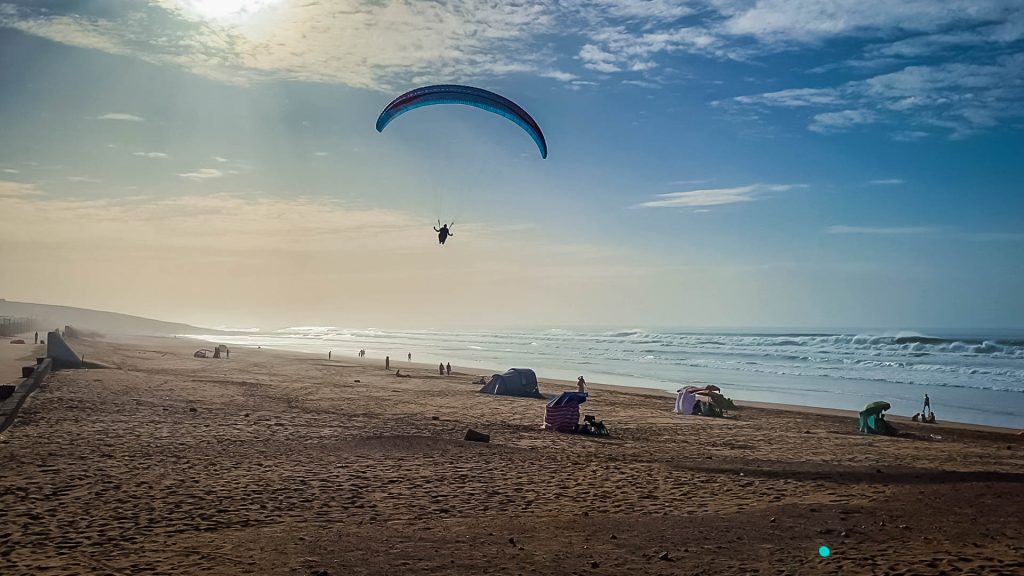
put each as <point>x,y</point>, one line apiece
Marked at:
<point>970,378</point>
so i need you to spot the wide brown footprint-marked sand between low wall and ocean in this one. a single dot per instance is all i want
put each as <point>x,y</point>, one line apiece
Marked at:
<point>276,463</point>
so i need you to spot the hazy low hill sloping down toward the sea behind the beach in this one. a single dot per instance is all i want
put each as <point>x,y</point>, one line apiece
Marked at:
<point>51,317</point>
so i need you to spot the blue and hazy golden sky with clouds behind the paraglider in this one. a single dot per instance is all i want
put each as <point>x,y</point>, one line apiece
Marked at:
<point>713,163</point>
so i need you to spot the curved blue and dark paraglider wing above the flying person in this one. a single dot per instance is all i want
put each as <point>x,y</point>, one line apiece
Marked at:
<point>467,96</point>
